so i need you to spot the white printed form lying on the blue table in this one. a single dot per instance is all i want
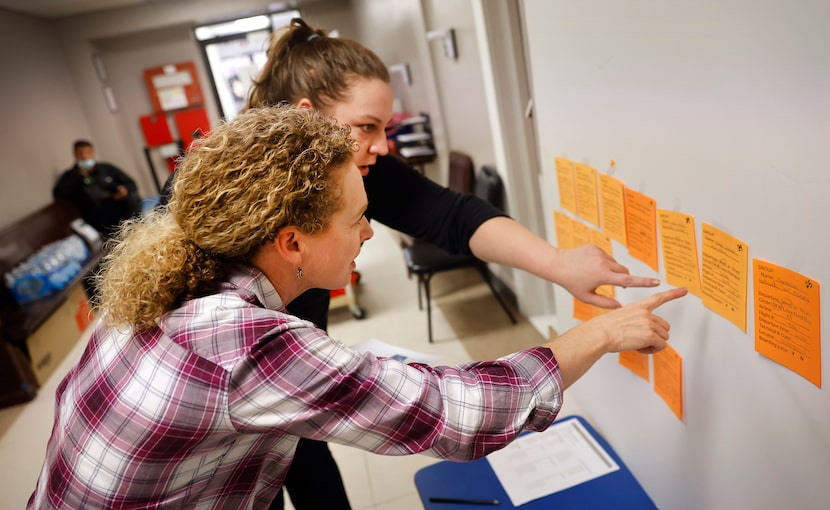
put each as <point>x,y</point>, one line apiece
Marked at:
<point>542,463</point>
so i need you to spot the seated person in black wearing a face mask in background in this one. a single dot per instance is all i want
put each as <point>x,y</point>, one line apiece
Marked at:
<point>104,195</point>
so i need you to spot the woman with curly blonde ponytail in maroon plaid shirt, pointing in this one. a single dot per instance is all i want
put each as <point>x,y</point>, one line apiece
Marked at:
<point>197,385</point>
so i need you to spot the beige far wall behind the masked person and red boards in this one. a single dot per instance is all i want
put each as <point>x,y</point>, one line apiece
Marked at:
<point>51,94</point>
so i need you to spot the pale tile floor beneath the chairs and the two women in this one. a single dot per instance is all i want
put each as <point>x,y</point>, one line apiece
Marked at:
<point>468,324</point>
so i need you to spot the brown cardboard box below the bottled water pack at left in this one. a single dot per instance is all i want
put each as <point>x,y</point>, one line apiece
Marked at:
<point>52,341</point>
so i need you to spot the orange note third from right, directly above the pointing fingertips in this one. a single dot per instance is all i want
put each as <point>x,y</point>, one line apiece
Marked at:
<point>677,236</point>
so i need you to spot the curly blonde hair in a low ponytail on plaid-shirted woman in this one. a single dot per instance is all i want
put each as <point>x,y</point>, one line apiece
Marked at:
<point>269,168</point>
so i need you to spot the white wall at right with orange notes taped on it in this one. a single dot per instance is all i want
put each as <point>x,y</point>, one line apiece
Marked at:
<point>719,110</point>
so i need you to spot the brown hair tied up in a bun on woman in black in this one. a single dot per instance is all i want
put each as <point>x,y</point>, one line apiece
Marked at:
<point>305,62</point>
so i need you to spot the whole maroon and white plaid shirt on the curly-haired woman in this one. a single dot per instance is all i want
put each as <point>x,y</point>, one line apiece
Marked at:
<point>205,410</point>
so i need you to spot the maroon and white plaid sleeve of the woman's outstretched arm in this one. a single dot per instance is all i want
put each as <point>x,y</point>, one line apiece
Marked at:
<point>316,387</point>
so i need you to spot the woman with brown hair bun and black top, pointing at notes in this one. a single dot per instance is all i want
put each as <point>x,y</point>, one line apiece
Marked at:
<point>349,82</point>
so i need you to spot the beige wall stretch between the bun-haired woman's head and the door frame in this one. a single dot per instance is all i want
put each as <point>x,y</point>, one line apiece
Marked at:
<point>450,90</point>
